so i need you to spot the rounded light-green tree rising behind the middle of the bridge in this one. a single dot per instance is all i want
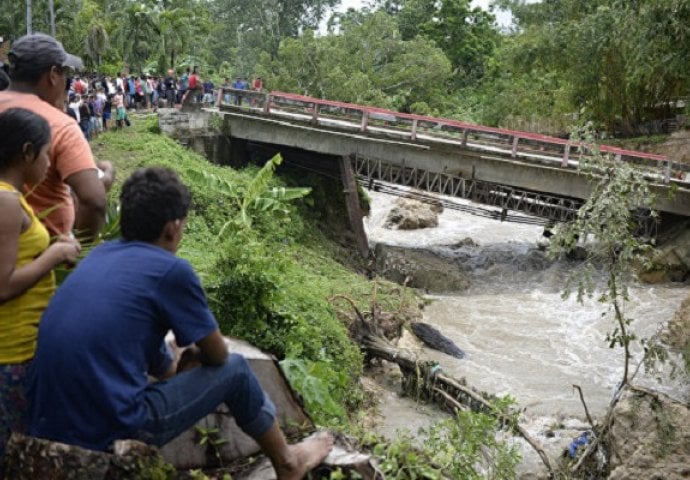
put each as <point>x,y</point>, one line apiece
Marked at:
<point>367,63</point>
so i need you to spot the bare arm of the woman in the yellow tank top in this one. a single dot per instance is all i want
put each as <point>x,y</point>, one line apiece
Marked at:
<point>15,281</point>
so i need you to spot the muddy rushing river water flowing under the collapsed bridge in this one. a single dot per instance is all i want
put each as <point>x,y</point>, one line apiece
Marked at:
<point>520,336</point>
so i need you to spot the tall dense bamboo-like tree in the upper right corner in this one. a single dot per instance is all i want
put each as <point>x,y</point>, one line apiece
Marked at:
<point>620,60</point>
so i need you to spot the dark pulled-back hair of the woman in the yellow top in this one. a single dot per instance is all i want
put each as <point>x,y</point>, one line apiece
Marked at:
<point>26,127</point>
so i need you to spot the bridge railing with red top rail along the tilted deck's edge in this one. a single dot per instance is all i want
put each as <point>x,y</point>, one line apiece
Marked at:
<point>366,119</point>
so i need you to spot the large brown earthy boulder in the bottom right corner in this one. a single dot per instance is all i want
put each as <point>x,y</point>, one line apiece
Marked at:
<point>650,438</point>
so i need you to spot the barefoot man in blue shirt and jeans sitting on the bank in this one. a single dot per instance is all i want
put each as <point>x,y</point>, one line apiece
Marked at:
<point>103,334</point>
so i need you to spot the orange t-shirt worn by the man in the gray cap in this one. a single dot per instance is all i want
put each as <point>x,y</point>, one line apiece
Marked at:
<point>70,153</point>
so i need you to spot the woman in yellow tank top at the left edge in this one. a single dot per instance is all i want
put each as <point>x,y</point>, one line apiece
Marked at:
<point>26,260</point>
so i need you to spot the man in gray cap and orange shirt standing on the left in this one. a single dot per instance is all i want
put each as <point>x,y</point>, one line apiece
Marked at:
<point>38,70</point>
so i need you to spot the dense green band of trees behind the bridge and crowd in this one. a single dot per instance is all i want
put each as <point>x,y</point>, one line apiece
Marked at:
<point>620,64</point>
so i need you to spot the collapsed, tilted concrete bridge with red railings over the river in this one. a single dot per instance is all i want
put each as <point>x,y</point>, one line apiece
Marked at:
<point>511,170</point>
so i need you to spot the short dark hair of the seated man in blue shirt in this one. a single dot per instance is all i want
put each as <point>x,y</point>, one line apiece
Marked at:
<point>150,198</point>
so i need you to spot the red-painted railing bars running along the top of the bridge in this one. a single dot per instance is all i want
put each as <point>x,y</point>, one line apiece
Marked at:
<point>413,125</point>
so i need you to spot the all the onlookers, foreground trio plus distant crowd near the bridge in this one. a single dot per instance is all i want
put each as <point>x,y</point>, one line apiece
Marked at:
<point>76,362</point>
